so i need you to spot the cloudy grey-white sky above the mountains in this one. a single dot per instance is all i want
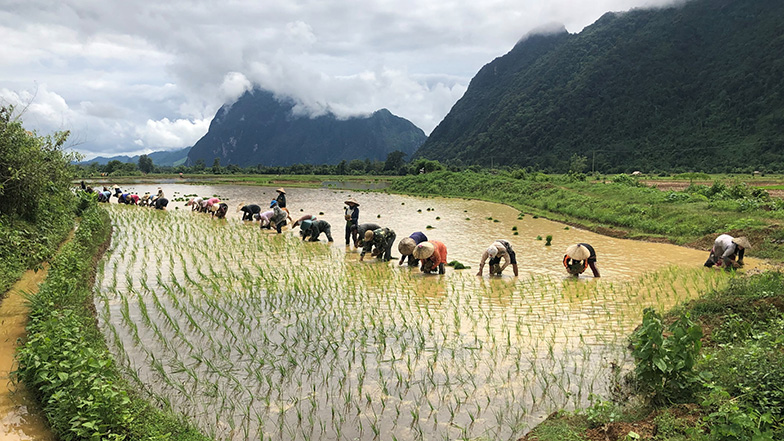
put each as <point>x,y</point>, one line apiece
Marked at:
<point>131,77</point>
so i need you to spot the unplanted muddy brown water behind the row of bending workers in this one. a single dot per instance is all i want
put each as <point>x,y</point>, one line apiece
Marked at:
<point>466,226</point>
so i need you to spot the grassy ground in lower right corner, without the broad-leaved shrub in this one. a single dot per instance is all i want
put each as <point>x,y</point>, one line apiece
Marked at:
<point>739,395</point>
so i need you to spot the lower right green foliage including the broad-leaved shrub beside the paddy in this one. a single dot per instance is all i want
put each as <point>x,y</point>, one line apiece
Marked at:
<point>735,381</point>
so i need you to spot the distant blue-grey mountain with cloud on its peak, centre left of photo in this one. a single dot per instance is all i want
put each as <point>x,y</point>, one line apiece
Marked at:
<point>260,129</point>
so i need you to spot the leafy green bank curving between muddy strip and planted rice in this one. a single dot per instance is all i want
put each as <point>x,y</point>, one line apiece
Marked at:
<point>65,361</point>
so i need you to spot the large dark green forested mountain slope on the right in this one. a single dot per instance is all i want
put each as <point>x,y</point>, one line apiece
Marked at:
<point>691,87</point>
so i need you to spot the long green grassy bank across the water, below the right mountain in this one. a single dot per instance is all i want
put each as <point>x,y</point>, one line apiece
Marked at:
<point>622,206</point>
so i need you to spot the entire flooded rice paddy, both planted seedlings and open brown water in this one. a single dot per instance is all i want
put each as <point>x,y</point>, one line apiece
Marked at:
<point>255,335</point>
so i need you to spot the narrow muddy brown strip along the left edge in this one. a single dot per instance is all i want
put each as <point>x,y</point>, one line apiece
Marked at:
<point>20,418</point>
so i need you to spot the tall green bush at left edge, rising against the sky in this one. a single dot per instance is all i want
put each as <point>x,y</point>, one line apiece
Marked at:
<point>33,168</point>
